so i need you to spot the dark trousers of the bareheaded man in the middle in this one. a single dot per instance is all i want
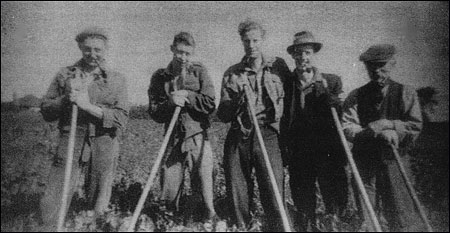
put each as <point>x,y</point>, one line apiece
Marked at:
<point>242,154</point>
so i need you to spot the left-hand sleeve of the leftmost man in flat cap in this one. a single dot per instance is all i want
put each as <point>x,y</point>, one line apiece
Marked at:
<point>54,100</point>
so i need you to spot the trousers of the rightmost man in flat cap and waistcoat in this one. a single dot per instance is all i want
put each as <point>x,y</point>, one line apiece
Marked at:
<point>386,189</point>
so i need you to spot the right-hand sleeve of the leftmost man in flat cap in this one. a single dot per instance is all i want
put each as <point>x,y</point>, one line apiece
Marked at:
<point>116,115</point>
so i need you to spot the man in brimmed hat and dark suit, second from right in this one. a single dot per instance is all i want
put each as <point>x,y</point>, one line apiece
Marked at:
<point>312,141</point>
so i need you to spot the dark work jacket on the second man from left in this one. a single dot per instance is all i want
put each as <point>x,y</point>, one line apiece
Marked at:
<point>194,117</point>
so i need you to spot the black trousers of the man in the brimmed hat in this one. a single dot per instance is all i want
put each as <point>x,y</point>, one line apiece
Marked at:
<point>313,161</point>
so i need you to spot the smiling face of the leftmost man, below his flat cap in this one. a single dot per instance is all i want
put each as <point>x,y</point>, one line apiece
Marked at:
<point>93,50</point>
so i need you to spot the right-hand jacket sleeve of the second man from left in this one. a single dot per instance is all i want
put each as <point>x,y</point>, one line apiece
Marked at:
<point>204,100</point>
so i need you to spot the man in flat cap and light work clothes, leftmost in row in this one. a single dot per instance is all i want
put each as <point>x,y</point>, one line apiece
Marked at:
<point>101,97</point>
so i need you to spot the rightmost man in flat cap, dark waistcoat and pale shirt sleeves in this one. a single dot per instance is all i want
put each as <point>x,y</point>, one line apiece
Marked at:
<point>375,116</point>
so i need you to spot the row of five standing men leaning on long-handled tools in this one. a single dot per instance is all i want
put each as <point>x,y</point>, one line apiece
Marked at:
<point>293,113</point>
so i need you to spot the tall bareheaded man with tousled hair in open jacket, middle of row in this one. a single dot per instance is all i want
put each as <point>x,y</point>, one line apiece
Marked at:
<point>264,76</point>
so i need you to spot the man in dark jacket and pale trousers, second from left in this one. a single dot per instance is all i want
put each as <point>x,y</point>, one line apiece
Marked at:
<point>186,84</point>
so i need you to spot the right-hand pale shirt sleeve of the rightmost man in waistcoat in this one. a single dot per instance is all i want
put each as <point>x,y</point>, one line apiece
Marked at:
<point>409,128</point>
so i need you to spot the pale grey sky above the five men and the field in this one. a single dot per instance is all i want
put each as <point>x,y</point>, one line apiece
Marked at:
<point>37,38</point>
